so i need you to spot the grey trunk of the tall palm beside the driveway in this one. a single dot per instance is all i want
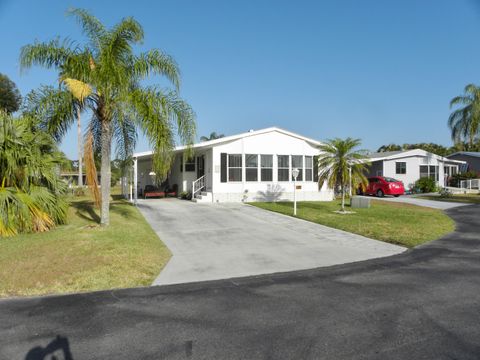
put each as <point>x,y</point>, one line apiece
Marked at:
<point>105,172</point>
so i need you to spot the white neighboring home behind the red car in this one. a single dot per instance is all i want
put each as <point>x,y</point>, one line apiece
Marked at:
<point>410,165</point>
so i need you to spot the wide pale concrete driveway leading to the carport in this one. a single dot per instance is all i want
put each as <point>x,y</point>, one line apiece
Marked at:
<point>219,241</point>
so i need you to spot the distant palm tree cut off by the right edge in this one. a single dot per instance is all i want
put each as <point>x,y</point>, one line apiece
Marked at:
<point>464,122</point>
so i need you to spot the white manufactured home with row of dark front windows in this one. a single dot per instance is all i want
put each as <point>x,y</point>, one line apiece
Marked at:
<point>252,166</point>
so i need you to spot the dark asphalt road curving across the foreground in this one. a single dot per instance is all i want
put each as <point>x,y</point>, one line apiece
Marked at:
<point>421,304</point>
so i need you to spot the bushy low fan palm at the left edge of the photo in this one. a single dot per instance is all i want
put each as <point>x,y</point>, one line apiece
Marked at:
<point>31,192</point>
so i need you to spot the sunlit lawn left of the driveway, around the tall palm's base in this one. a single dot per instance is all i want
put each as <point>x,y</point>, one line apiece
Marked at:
<point>81,256</point>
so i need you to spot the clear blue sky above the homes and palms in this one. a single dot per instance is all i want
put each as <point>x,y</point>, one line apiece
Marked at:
<point>383,71</point>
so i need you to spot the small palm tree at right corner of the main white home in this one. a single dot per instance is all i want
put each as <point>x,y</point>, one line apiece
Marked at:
<point>337,159</point>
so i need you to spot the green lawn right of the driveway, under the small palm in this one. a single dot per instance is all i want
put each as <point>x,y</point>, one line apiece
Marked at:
<point>396,223</point>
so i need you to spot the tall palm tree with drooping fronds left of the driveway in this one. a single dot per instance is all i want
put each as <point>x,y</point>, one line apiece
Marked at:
<point>119,103</point>
